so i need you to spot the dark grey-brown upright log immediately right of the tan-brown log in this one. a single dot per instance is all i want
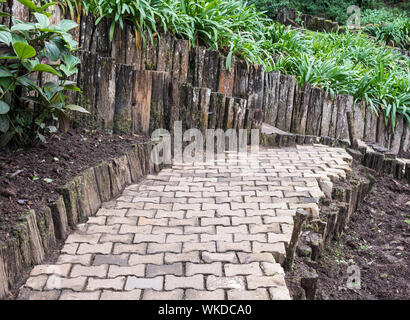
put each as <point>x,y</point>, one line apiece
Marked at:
<point>159,100</point>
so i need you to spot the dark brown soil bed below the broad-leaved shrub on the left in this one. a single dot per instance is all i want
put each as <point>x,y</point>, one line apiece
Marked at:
<point>29,177</point>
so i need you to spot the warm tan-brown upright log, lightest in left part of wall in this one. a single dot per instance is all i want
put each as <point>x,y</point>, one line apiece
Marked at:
<point>142,102</point>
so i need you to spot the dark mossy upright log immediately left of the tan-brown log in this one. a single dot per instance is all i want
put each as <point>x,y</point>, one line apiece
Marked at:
<point>124,80</point>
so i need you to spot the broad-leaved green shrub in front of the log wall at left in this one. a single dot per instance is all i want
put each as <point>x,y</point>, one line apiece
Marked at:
<point>29,107</point>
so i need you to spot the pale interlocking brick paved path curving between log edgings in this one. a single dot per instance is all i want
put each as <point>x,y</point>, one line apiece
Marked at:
<point>204,231</point>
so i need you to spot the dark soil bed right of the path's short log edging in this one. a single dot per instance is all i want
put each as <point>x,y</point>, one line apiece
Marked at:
<point>376,240</point>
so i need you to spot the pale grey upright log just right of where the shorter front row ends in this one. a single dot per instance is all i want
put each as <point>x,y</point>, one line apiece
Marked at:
<point>272,97</point>
